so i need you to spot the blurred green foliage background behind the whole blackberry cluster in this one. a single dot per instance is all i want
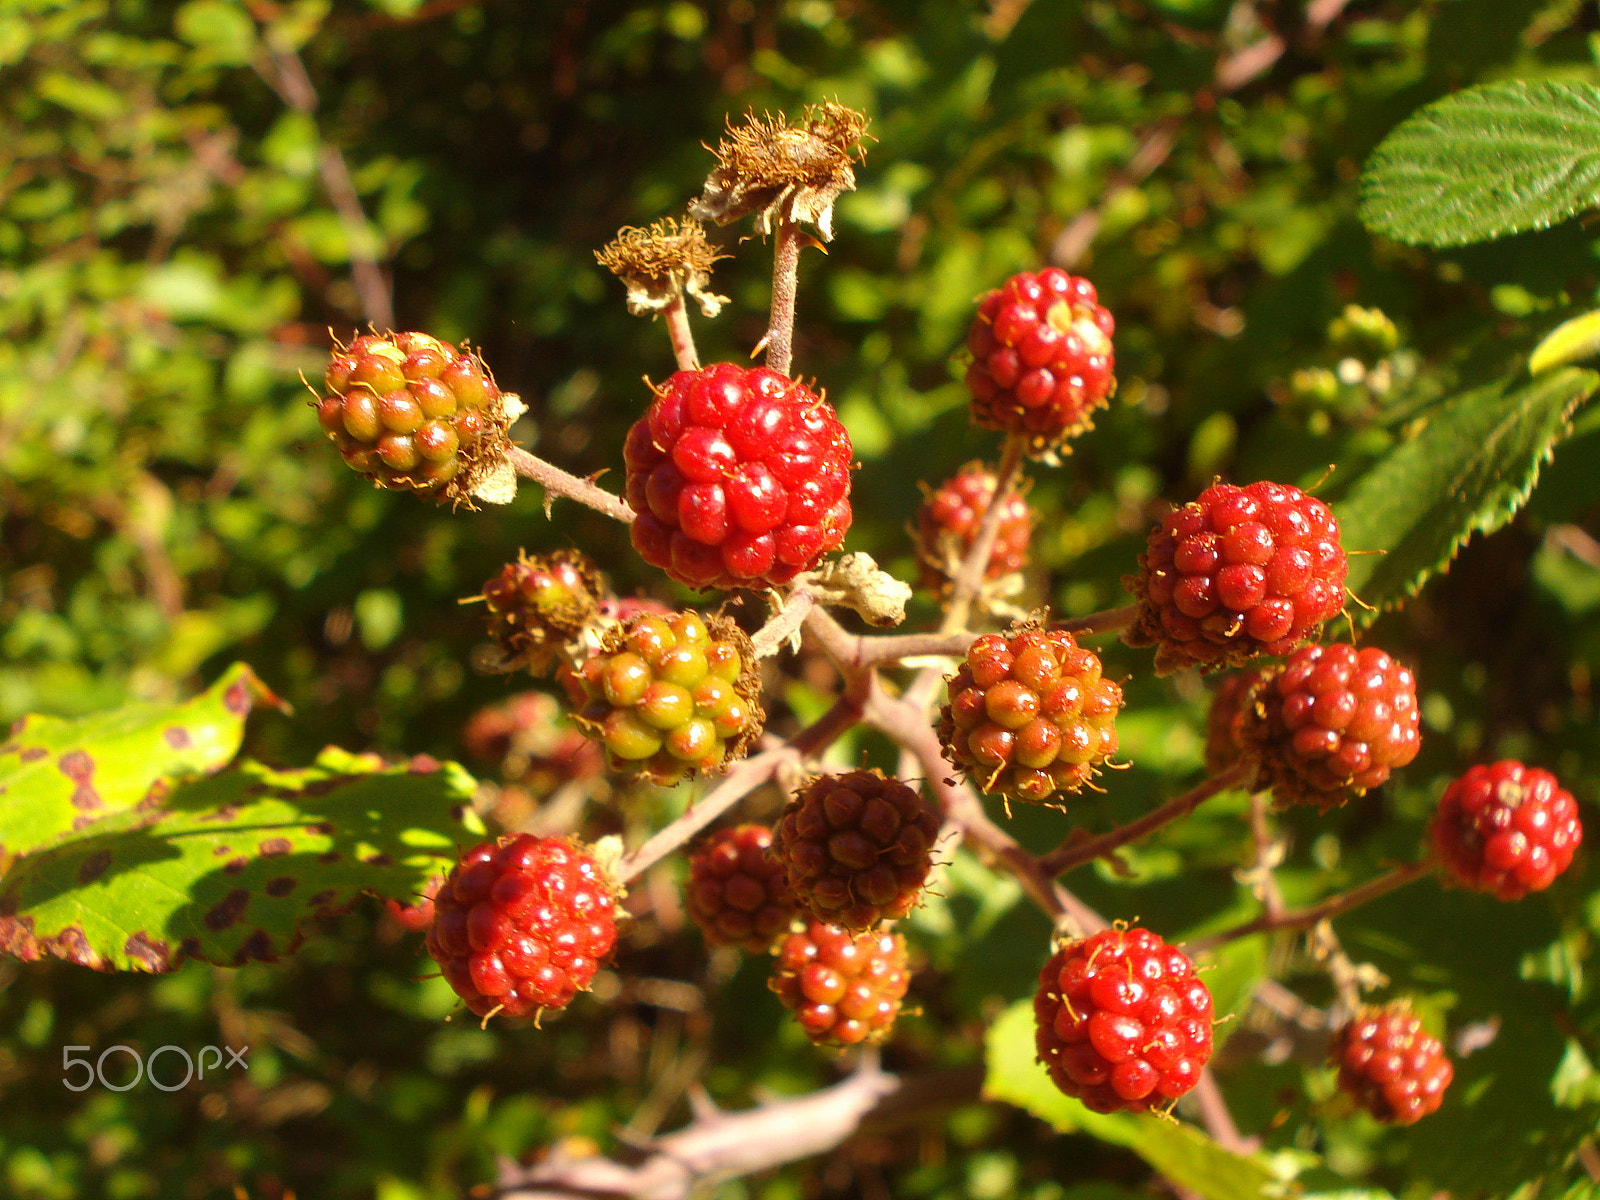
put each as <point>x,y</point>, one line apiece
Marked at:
<point>193,196</point>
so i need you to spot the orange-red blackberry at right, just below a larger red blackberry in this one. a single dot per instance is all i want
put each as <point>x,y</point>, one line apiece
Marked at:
<point>1330,724</point>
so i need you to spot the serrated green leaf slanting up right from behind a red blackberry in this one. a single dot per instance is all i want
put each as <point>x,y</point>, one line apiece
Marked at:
<point>1466,471</point>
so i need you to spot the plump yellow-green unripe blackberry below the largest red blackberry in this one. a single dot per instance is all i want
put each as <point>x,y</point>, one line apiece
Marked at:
<point>673,695</point>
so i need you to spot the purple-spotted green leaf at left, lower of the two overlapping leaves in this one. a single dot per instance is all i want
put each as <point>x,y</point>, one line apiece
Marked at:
<point>230,866</point>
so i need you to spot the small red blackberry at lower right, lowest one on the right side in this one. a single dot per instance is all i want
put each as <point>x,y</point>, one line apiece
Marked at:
<point>1390,1066</point>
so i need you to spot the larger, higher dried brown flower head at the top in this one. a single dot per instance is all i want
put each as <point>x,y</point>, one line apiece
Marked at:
<point>780,172</point>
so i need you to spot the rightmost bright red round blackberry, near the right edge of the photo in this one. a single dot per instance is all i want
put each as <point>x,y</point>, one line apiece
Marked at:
<point>1506,830</point>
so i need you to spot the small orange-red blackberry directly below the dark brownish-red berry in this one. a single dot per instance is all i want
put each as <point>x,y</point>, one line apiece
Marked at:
<point>844,988</point>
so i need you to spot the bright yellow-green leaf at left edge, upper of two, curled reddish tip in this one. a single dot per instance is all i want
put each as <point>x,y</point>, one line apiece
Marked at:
<point>60,777</point>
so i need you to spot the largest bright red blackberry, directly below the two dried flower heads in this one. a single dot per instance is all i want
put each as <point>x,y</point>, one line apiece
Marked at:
<point>740,478</point>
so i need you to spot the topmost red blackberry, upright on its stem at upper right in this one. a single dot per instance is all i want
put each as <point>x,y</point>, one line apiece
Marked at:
<point>1042,358</point>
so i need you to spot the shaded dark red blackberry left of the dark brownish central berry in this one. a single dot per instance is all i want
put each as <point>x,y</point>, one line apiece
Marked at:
<point>738,894</point>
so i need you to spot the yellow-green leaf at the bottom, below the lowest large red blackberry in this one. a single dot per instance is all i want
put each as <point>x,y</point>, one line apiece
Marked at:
<point>1180,1153</point>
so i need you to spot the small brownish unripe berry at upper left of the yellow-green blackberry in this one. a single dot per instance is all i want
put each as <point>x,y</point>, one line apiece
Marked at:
<point>537,606</point>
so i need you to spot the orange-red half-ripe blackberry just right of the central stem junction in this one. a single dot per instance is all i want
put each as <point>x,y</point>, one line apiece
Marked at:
<point>1030,716</point>
